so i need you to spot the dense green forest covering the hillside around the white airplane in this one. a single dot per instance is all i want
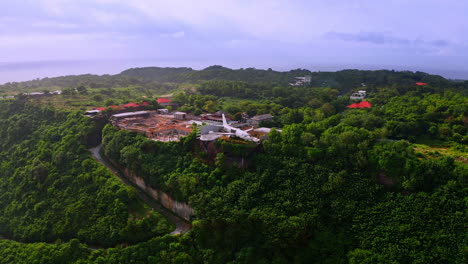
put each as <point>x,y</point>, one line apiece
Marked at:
<point>386,184</point>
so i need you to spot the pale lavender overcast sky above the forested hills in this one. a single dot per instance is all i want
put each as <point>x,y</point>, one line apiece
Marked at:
<point>41,38</point>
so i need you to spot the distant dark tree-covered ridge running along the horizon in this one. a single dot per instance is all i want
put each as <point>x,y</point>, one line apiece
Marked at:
<point>158,79</point>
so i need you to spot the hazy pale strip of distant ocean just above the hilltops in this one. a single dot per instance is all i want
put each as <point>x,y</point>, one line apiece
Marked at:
<point>24,71</point>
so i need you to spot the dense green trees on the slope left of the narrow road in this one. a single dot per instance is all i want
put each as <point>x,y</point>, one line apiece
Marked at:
<point>52,189</point>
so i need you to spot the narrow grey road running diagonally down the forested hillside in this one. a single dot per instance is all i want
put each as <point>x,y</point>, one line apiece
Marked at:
<point>181,225</point>
